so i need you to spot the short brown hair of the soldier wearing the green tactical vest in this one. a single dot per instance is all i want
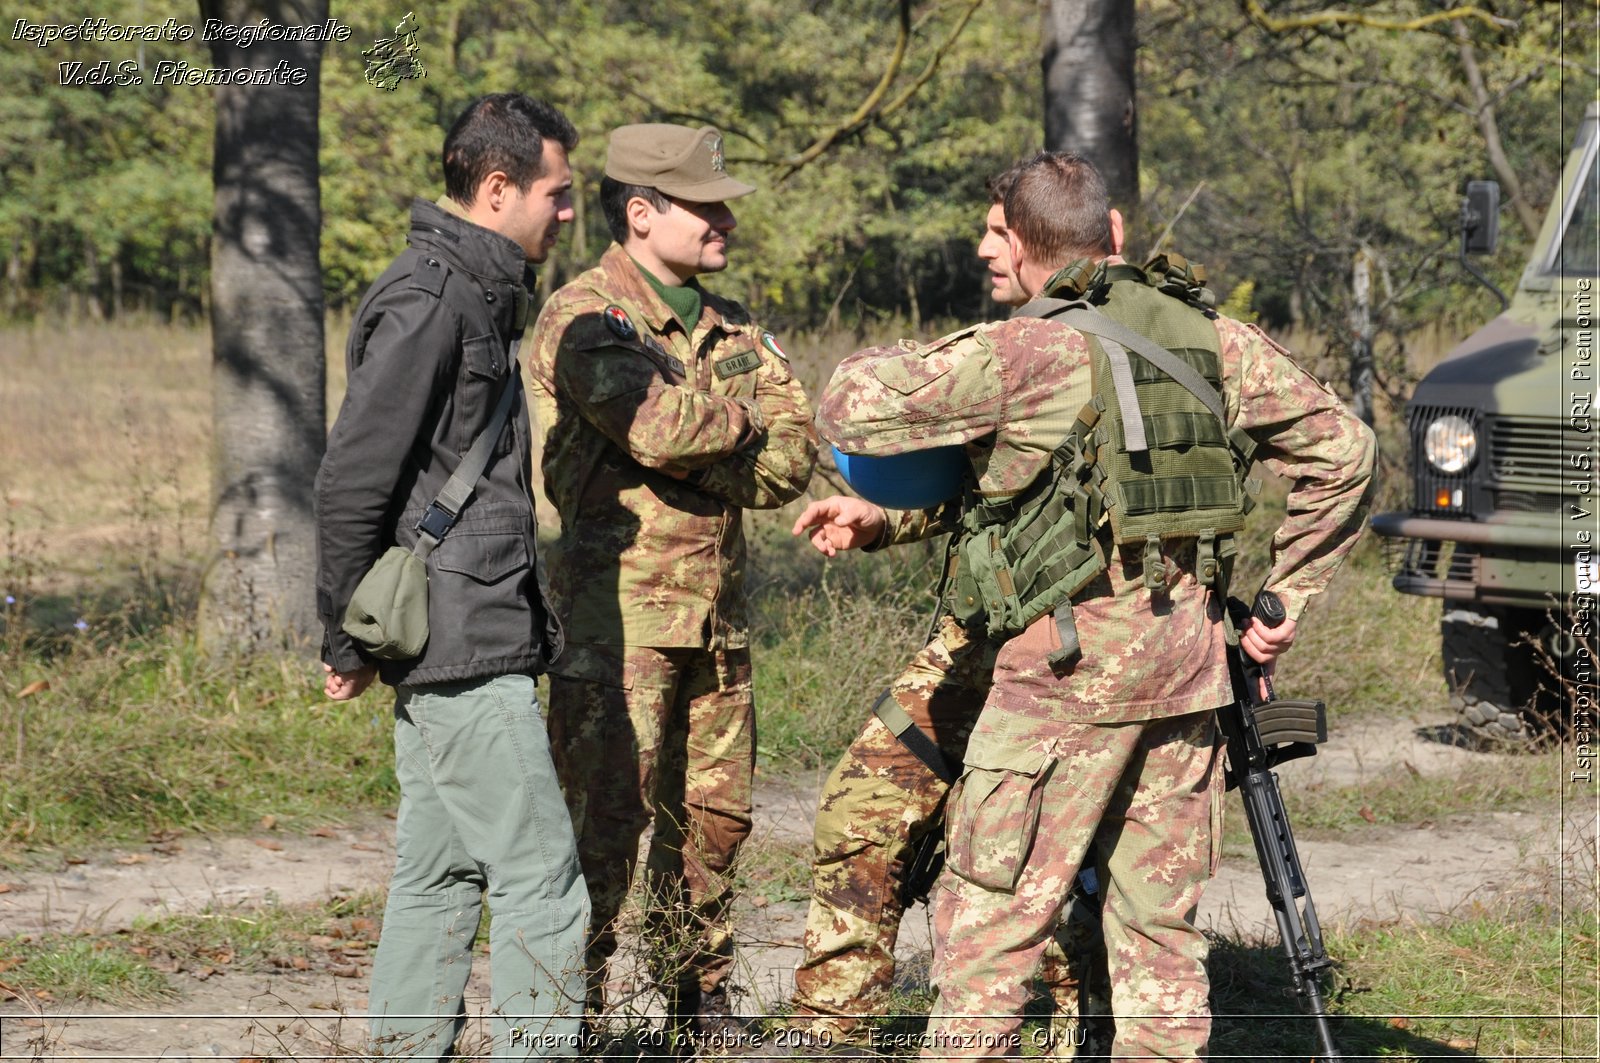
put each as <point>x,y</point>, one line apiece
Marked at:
<point>1060,211</point>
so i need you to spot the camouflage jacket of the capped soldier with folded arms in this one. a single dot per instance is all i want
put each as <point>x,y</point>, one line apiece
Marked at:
<point>655,441</point>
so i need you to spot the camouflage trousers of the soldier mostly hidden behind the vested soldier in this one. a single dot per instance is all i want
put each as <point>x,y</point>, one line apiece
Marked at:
<point>876,808</point>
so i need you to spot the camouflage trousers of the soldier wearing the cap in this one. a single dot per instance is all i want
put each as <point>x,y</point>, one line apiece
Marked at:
<point>668,737</point>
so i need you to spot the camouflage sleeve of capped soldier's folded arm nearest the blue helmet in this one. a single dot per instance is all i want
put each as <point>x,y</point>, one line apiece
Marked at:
<point>778,467</point>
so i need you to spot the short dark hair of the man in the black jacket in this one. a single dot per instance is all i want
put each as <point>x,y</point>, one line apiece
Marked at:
<point>502,132</point>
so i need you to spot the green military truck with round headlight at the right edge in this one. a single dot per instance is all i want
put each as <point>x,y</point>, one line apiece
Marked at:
<point>1503,468</point>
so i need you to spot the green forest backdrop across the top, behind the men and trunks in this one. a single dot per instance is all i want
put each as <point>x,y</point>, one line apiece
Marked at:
<point>1273,156</point>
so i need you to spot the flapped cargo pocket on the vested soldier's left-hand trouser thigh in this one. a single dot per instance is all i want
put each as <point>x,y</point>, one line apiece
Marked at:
<point>994,814</point>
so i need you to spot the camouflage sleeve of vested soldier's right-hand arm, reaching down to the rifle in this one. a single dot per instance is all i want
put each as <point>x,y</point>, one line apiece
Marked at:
<point>1308,436</point>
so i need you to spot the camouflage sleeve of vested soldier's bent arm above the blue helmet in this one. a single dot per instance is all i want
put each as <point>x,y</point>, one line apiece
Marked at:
<point>889,401</point>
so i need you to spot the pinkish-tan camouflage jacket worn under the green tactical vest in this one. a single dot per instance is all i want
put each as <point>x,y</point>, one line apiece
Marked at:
<point>1010,391</point>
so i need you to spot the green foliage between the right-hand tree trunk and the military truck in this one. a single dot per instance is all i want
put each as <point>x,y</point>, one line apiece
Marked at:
<point>1308,148</point>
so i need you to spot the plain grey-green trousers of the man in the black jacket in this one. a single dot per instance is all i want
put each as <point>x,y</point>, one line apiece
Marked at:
<point>481,816</point>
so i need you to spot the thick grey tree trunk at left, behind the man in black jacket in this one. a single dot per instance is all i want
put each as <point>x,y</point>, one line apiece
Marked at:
<point>266,339</point>
